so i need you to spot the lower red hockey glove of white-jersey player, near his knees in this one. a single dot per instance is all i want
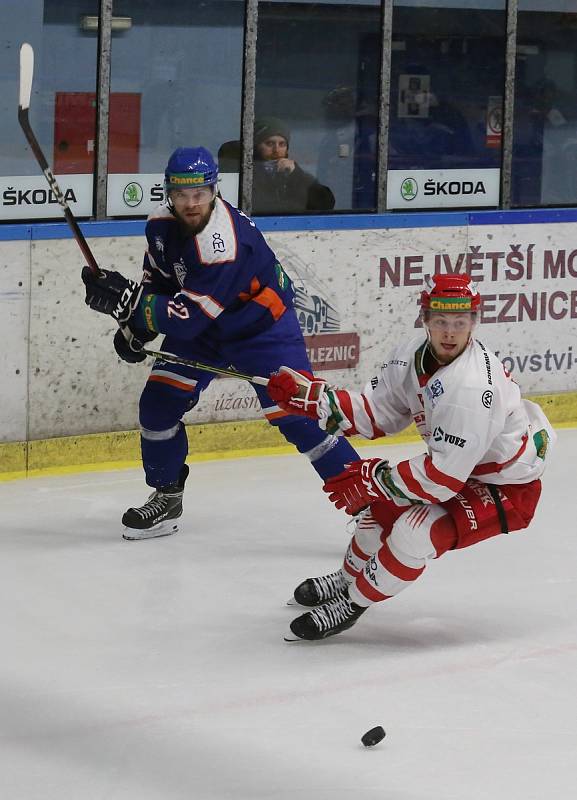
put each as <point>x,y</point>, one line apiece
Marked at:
<point>359,485</point>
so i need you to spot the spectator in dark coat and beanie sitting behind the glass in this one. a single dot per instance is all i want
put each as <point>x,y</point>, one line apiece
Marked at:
<point>280,186</point>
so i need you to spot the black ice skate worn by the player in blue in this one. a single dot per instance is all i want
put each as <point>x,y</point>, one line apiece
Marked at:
<point>158,516</point>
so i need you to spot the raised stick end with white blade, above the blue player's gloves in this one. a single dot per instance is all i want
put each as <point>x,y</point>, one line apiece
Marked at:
<point>26,75</point>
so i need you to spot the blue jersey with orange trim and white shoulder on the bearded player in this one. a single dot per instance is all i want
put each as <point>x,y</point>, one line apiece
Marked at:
<point>225,281</point>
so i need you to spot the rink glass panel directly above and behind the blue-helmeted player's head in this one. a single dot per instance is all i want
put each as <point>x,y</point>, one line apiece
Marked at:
<point>178,68</point>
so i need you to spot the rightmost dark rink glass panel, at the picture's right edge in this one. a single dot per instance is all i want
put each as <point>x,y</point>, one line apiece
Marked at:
<point>545,132</point>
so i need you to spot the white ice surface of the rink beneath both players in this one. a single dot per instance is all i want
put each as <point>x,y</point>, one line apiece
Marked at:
<point>156,670</point>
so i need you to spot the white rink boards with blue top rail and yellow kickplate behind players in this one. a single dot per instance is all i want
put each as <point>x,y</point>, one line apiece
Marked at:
<point>68,401</point>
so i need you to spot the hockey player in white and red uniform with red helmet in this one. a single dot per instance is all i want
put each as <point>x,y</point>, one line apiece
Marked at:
<point>480,476</point>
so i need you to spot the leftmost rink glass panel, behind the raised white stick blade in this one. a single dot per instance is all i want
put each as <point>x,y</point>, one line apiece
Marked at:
<point>64,75</point>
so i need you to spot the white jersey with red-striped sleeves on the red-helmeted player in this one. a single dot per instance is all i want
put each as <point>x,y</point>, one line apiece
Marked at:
<point>470,413</point>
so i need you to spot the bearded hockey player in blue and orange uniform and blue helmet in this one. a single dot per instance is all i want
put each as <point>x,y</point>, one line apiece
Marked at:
<point>214,288</point>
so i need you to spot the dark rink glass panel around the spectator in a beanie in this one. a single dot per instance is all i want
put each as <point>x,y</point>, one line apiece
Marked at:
<point>318,71</point>
